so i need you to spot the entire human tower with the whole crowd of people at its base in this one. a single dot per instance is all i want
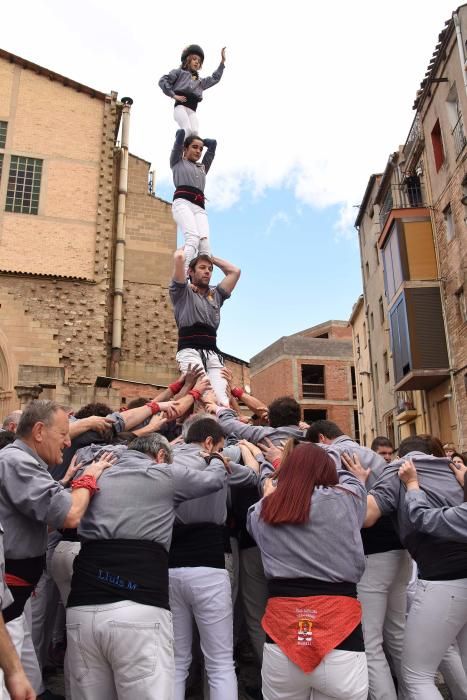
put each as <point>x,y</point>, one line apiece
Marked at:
<point>164,535</point>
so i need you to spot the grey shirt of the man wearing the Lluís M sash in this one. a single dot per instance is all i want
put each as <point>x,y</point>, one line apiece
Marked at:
<point>137,498</point>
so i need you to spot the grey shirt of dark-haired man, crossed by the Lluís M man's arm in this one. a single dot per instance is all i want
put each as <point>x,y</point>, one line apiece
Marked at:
<point>211,508</point>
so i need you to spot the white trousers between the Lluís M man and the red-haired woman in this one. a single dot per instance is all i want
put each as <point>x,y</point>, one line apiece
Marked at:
<point>203,593</point>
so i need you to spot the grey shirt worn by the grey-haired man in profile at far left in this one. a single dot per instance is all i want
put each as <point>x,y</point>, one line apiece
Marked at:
<point>30,500</point>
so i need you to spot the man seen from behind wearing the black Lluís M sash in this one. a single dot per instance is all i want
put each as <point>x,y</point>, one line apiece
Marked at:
<point>118,608</point>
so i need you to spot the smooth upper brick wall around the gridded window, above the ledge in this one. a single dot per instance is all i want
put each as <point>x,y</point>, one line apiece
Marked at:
<point>67,129</point>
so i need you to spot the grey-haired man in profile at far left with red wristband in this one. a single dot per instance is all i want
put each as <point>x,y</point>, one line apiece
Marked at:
<point>30,500</point>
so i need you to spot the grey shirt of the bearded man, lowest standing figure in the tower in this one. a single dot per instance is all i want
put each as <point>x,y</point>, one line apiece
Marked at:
<point>191,307</point>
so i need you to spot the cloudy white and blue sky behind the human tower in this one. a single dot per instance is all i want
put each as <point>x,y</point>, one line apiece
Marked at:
<point>314,99</point>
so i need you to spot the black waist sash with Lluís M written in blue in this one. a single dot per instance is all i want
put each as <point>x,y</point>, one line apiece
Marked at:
<point>107,571</point>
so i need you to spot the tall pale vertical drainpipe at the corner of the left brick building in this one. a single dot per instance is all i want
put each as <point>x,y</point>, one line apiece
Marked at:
<point>120,242</point>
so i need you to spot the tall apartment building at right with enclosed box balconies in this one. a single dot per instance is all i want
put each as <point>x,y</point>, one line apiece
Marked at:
<point>413,245</point>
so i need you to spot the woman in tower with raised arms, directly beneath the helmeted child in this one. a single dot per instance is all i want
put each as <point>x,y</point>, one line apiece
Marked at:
<point>189,176</point>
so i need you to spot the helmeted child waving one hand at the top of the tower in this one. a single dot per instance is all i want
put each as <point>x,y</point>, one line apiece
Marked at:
<point>186,87</point>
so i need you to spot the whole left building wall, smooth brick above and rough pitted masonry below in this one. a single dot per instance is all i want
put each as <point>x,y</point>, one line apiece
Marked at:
<point>52,324</point>
